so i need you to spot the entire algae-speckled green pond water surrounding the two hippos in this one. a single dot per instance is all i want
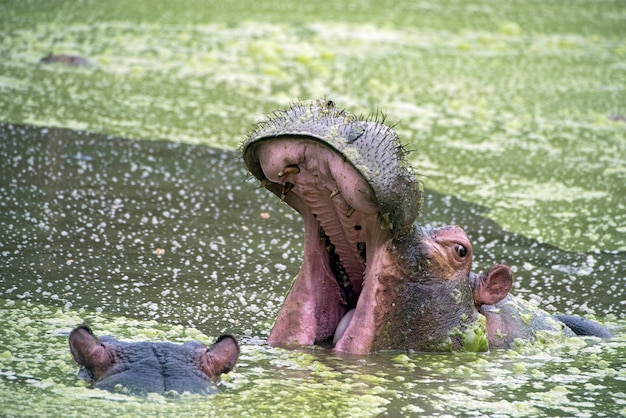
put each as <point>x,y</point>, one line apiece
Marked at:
<point>516,115</point>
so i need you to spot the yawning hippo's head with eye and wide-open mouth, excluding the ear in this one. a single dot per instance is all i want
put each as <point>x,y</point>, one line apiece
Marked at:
<point>366,281</point>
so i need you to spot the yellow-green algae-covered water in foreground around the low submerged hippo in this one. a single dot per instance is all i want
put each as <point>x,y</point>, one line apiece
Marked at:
<point>573,377</point>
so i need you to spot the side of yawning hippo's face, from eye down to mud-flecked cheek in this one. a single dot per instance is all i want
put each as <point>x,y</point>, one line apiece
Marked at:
<point>434,310</point>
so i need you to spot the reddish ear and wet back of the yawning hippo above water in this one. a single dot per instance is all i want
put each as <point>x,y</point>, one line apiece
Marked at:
<point>510,318</point>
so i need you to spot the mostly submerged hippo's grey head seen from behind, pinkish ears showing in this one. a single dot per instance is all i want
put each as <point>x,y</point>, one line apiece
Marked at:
<point>139,368</point>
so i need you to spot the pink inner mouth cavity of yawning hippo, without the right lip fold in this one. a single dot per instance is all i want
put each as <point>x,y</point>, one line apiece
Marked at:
<point>341,217</point>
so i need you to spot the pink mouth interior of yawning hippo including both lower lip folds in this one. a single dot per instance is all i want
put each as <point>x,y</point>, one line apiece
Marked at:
<point>346,247</point>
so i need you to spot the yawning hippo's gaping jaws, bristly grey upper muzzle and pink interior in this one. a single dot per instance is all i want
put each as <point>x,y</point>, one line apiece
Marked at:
<point>325,175</point>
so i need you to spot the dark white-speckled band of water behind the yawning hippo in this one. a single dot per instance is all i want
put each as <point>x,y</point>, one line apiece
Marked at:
<point>84,216</point>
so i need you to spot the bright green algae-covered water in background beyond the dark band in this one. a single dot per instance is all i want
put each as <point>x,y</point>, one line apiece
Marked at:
<point>519,107</point>
